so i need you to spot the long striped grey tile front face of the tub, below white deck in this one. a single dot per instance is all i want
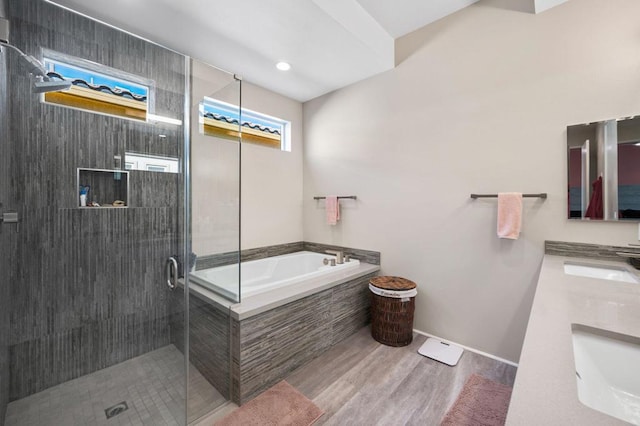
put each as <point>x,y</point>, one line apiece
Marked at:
<point>268,346</point>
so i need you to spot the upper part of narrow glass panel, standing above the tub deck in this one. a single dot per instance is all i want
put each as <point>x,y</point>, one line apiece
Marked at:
<point>215,177</point>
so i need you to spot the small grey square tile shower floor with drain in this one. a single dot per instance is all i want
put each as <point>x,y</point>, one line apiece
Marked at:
<point>152,385</point>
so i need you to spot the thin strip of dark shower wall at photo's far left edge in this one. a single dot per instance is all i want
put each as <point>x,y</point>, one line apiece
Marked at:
<point>7,243</point>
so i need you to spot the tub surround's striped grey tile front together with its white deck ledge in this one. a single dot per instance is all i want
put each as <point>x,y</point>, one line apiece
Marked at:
<point>277,331</point>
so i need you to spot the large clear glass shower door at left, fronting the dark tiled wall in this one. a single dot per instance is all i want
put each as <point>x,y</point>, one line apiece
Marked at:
<point>90,330</point>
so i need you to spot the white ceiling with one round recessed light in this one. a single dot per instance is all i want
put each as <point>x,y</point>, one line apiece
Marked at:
<point>329,43</point>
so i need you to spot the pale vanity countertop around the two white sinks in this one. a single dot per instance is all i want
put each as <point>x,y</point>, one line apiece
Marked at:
<point>545,391</point>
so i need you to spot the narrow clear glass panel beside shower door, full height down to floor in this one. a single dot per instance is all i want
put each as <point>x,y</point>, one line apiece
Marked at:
<point>214,283</point>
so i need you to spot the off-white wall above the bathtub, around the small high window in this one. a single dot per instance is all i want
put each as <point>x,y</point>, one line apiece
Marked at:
<point>271,181</point>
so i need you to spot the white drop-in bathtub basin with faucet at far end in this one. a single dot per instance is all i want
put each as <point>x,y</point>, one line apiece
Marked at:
<point>262,275</point>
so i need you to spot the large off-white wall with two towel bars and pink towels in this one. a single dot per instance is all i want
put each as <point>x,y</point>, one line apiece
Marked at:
<point>480,104</point>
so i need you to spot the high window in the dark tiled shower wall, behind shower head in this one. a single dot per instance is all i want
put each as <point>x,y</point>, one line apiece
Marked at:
<point>98,88</point>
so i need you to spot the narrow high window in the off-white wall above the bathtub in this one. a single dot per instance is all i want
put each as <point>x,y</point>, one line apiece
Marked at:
<point>221,119</point>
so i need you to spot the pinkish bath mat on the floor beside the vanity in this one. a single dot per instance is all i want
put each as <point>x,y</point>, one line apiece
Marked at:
<point>482,402</point>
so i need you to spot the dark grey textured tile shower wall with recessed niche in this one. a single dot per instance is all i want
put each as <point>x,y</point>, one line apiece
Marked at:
<point>89,291</point>
